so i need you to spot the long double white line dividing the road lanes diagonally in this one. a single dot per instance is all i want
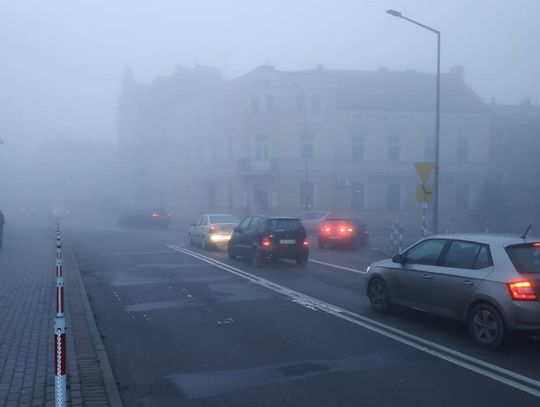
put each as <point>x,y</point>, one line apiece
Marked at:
<point>497,373</point>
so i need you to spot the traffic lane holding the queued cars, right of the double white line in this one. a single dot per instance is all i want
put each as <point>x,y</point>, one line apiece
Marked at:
<point>347,290</point>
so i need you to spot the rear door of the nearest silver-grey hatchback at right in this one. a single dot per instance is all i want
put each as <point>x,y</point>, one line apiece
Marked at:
<point>463,266</point>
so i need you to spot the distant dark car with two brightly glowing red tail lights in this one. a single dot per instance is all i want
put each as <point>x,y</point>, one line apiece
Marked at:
<point>349,232</point>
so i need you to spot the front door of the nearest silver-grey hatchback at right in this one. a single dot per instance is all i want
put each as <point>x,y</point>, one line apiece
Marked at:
<point>410,282</point>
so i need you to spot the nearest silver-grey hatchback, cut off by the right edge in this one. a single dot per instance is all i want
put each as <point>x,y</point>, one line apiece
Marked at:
<point>490,282</point>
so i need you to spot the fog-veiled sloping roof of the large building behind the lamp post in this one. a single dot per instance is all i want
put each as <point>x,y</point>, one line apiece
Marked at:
<point>385,90</point>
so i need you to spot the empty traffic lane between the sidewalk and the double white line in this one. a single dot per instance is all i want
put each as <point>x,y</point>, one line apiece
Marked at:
<point>204,337</point>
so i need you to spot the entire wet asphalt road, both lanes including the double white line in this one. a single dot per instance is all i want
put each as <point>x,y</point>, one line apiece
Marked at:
<point>189,327</point>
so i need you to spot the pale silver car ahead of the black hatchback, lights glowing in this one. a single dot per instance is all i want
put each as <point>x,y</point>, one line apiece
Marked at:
<point>212,230</point>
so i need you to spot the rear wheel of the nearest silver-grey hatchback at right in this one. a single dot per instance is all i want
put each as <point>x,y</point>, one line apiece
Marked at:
<point>487,326</point>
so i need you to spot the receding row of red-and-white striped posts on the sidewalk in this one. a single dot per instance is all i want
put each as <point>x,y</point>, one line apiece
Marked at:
<point>59,330</point>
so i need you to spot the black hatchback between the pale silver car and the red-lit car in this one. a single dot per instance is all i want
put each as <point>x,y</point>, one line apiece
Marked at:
<point>263,237</point>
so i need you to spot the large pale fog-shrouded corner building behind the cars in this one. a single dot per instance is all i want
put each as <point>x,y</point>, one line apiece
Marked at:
<point>344,141</point>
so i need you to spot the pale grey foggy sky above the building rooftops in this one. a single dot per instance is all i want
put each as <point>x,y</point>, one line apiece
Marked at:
<point>61,61</point>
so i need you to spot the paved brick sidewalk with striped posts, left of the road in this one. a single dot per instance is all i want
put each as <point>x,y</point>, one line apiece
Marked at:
<point>27,311</point>
